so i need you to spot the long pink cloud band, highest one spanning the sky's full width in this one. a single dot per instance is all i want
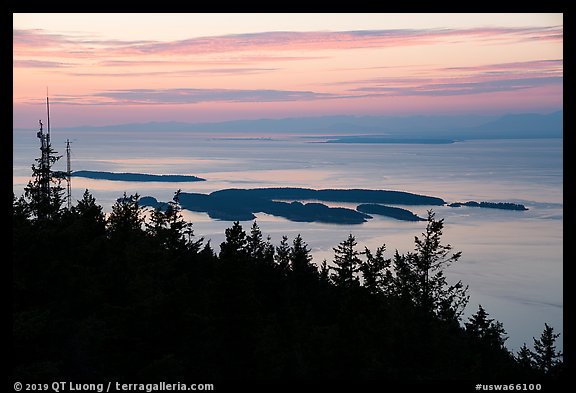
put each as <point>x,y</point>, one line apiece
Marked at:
<point>52,44</point>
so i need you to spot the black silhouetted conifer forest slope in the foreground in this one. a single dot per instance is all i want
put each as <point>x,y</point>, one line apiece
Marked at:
<point>138,295</point>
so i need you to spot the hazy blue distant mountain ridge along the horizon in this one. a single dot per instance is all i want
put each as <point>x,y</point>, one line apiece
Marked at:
<point>526,125</point>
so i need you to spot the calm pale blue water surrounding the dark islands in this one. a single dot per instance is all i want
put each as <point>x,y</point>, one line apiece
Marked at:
<point>512,261</point>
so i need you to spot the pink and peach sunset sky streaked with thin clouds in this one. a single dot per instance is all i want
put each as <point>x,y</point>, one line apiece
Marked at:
<point>121,68</point>
